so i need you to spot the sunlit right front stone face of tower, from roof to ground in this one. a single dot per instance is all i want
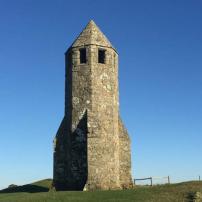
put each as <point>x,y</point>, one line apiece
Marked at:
<point>103,143</point>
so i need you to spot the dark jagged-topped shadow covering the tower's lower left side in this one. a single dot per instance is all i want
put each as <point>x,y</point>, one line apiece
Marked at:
<point>70,156</point>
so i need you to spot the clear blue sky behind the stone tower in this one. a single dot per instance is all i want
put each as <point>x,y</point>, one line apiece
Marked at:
<point>160,53</point>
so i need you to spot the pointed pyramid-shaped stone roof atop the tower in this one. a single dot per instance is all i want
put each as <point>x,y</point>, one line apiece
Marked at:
<point>91,34</point>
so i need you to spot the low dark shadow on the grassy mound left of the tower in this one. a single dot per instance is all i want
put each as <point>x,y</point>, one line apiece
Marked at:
<point>25,188</point>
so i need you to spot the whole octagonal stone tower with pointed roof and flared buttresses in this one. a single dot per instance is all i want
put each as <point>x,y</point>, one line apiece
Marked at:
<point>92,146</point>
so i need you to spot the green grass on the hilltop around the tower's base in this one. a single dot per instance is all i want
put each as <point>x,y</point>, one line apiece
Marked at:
<point>181,192</point>
